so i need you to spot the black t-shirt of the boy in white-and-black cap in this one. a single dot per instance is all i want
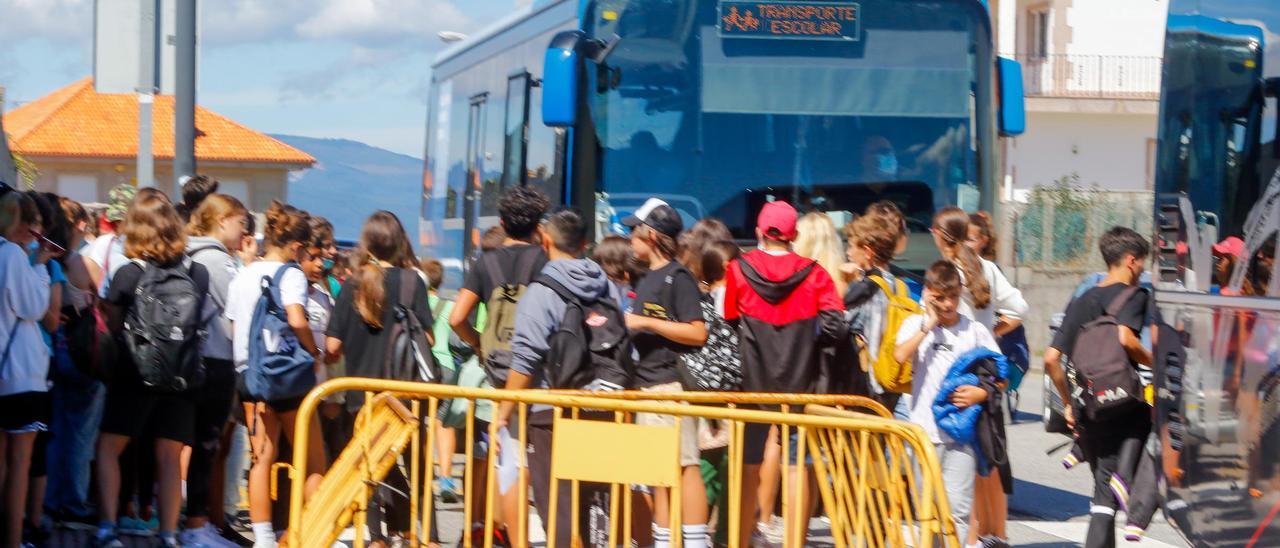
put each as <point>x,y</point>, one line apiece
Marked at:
<point>668,294</point>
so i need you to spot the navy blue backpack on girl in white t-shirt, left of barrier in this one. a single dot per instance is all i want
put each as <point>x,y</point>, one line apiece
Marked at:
<point>278,366</point>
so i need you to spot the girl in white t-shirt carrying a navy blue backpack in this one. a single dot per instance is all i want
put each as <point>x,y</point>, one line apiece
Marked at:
<point>286,239</point>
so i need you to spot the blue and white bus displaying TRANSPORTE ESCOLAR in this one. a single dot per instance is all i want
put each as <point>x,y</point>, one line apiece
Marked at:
<point>717,107</point>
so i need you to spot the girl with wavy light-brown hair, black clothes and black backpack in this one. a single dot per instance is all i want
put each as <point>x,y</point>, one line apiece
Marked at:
<point>153,240</point>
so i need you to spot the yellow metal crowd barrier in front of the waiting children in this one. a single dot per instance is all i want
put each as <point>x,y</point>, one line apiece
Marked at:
<point>879,479</point>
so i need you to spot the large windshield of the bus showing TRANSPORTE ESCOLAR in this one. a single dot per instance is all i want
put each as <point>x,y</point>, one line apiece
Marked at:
<point>724,106</point>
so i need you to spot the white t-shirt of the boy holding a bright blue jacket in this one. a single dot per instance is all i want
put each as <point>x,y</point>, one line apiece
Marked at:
<point>934,359</point>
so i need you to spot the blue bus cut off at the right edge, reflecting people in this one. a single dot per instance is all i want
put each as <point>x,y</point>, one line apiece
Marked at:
<point>1218,191</point>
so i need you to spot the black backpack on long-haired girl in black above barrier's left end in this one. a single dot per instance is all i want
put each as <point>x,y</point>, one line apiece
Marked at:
<point>410,354</point>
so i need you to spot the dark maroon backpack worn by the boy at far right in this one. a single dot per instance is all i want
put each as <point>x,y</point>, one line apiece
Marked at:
<point>1108,376</point>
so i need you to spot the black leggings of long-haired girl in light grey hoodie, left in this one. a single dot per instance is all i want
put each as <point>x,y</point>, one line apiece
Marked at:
<point>213,412</point>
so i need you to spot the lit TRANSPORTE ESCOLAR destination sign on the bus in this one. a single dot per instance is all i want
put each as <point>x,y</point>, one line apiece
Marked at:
<point>790,21</point>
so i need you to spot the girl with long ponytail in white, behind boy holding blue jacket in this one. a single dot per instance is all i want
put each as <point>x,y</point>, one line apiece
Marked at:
<point>996,304</point>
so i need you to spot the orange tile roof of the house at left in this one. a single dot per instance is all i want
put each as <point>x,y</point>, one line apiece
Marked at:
<point>79,122</point>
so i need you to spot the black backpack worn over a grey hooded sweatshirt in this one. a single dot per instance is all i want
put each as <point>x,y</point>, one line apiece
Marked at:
<point>591,345</point>
